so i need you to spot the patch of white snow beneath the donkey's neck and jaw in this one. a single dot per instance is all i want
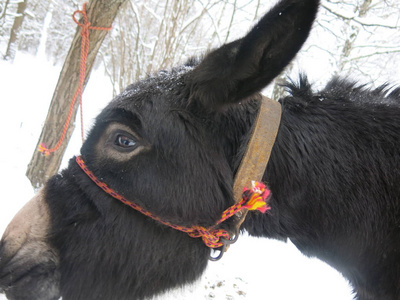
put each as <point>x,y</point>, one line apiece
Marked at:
<point>266,269</point>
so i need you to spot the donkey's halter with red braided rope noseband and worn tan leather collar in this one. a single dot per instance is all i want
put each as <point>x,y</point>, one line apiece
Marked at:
<point>252,166</point>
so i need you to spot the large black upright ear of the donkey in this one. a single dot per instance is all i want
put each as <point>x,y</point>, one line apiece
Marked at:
<point>237,70</point>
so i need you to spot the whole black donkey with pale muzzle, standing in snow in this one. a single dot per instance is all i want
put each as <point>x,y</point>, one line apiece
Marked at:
<point>172,144</point>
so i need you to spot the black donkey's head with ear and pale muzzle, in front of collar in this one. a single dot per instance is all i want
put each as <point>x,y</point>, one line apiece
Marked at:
<point>170,143</point>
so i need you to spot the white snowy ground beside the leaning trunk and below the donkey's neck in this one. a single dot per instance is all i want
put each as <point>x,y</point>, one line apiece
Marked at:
<point>252,269</point>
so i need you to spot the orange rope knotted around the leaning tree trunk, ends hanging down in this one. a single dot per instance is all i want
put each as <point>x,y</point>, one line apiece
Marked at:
<point>85,27</point>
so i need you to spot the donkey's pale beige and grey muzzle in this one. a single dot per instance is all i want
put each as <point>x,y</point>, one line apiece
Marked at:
<point>28,264</point>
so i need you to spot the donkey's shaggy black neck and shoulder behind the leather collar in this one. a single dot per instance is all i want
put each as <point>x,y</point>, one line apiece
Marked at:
<point>333,172</point>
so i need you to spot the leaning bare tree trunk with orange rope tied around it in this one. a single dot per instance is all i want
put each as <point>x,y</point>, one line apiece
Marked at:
<point>100,13</point>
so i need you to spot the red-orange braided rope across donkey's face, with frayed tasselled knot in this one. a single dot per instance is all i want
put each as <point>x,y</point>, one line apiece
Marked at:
<point>253,199</point>
